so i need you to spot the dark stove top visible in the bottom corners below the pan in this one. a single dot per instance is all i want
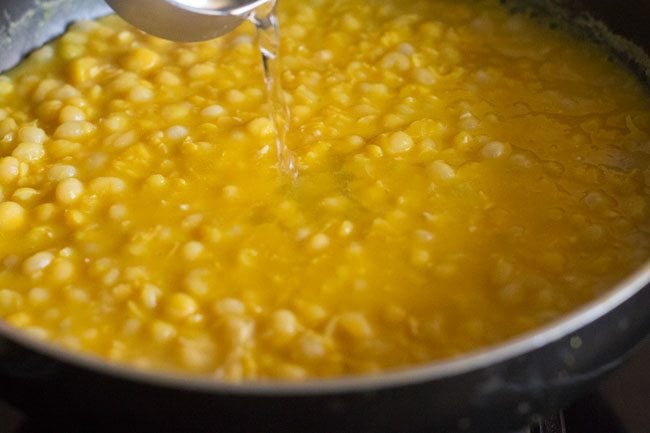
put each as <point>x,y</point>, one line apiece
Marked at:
<point>620,405</point>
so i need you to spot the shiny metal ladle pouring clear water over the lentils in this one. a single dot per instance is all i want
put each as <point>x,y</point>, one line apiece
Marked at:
<point>186,20</point>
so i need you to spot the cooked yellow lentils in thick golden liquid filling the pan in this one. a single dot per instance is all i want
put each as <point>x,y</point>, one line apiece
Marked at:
<point>465,175</point>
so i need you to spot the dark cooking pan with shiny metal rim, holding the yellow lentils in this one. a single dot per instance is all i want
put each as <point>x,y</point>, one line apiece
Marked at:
<point>496,389</point>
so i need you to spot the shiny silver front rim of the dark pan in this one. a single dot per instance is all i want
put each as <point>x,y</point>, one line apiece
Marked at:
<point>634,291</point>
